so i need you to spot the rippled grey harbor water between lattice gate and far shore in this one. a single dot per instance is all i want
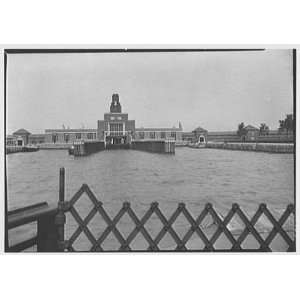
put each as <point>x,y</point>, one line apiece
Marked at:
<point>192,176</point>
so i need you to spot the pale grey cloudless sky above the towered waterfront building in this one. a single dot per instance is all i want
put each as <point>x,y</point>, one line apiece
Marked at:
<point>214,90</point>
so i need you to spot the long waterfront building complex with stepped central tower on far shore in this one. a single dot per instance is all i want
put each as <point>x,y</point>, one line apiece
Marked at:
<point>116,128</point>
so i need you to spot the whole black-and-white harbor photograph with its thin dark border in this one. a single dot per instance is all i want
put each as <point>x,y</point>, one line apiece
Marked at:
<point>139,149</point>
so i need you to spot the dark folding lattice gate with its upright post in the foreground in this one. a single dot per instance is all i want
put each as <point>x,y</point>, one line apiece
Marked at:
<point>152,241</point>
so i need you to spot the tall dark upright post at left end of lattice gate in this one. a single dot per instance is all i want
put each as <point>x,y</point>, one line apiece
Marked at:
<point>60,218</point>
